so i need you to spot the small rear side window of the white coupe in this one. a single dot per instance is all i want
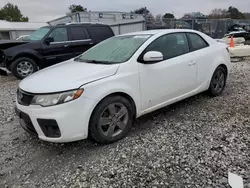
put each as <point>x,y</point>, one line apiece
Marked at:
<point>196,42</point>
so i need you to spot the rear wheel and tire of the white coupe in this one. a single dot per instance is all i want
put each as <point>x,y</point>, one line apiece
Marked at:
<point>218,82</point>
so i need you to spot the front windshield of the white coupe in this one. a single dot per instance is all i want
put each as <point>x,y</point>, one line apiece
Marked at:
<point>114,50</point>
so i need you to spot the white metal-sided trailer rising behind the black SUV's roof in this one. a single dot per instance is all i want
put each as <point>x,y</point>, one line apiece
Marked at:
<point>120,22</point>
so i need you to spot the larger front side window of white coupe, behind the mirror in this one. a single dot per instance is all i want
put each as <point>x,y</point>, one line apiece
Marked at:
<point>171,45</point>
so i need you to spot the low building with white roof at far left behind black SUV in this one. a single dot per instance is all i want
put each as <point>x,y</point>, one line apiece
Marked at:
<point>12,30</point>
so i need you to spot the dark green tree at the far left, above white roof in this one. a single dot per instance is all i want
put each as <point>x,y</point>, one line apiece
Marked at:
<point>12,13</point>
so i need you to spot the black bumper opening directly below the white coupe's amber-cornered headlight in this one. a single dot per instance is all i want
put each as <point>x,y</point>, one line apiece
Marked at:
<point>49,127</point>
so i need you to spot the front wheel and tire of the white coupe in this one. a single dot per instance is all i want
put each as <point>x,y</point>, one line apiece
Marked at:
<point>100,126</point>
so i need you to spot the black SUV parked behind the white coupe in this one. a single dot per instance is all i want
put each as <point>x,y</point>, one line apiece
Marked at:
<point>50,45</point>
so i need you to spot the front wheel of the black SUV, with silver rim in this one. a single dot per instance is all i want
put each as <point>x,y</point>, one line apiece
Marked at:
<point>23,67</point>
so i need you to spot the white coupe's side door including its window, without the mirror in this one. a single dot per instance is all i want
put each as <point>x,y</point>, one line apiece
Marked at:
<point>166,81</point>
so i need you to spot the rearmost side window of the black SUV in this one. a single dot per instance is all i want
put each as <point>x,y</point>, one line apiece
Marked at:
<point>100,33</point>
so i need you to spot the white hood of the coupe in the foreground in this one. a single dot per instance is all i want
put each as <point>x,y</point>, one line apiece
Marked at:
<point>66,76</point>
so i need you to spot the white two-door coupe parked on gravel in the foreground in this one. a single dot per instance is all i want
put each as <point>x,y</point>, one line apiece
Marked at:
<point>99,93</point>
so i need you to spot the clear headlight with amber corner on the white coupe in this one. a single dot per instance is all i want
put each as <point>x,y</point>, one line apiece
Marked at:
<point>55,99</point>
